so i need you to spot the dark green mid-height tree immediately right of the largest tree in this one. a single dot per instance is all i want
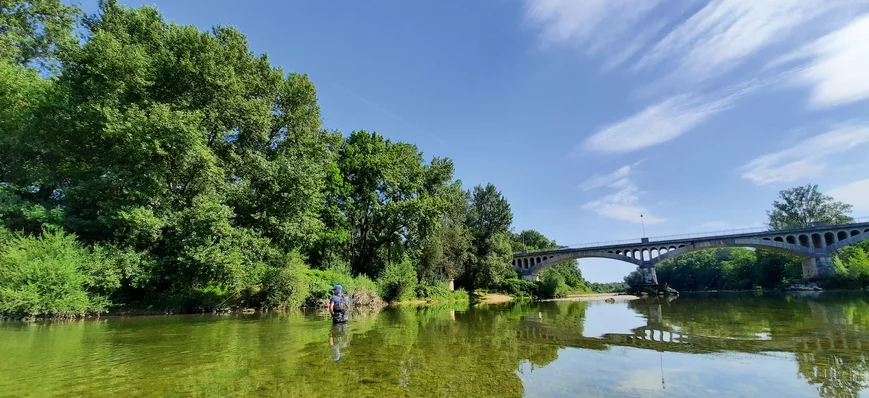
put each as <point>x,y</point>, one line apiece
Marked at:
<point>392,198</point>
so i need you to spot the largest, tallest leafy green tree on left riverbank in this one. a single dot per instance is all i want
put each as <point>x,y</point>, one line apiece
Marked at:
<point>176,142</point>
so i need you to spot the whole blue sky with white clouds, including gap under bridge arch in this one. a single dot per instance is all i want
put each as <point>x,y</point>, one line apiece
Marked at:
<point>588,113</point>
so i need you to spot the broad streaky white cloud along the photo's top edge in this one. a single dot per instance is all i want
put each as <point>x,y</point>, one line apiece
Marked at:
<point>695,41</point>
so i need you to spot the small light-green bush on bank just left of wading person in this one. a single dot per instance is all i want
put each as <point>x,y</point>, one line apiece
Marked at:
<point>288,286</point>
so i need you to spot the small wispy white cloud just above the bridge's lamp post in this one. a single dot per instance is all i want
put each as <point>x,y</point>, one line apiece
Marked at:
<point>622,205</point>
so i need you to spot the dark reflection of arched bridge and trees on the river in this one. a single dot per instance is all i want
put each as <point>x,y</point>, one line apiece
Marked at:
<point>826,337</point>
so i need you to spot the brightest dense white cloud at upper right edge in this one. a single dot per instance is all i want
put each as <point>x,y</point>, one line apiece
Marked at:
<point>837,66</point>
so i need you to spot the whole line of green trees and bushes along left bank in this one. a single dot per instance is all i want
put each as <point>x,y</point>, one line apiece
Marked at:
<point>154,165</point>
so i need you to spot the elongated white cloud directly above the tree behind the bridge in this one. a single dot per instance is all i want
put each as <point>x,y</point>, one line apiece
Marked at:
<point>806,159</point>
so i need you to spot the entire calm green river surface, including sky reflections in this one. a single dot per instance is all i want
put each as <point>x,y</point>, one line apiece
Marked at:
<point>704,345</point>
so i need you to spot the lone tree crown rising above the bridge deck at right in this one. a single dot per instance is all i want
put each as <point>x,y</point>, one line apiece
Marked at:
<point>803,206</point>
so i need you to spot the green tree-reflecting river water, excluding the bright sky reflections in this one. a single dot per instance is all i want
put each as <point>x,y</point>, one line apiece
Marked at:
<point>446,350</point>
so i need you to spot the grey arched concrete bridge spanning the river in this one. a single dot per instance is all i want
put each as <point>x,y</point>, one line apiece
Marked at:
<point>814,245</point>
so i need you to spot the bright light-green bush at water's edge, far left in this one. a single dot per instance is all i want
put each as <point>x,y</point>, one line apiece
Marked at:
<point>51,275</point>
